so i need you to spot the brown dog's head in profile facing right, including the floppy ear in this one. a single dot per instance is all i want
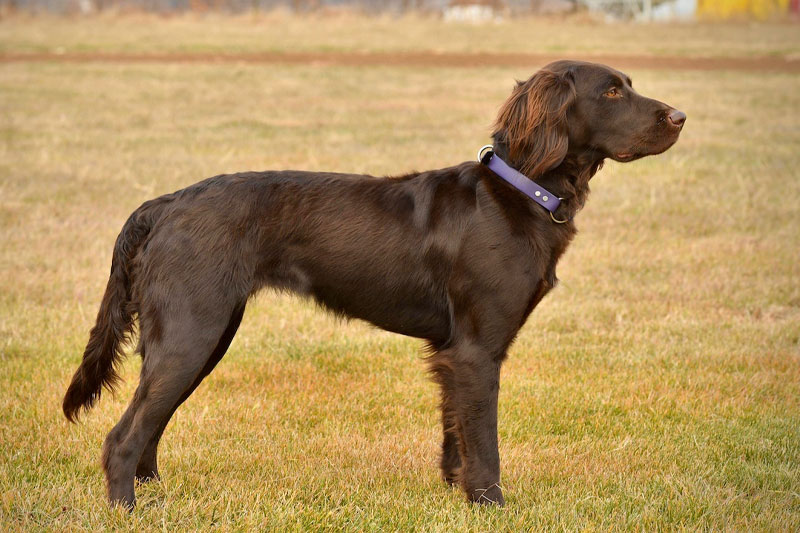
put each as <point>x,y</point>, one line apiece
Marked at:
<point>585,109</point>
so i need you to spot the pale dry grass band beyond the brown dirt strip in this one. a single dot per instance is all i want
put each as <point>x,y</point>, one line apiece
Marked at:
<point>281,31</point>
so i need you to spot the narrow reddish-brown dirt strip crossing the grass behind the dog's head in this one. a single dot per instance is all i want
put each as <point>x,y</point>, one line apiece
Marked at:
<point>422,59</point>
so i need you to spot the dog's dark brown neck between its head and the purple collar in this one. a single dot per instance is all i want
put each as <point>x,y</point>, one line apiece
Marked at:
<point>569,180</point>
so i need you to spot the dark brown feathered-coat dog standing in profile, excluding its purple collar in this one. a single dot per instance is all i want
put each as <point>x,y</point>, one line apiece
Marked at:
<point>458,257</point>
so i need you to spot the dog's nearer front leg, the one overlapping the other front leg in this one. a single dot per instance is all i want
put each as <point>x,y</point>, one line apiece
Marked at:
<point>469,378</point>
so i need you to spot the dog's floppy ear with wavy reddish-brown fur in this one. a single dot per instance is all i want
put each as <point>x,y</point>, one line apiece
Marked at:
<point>533,122</point>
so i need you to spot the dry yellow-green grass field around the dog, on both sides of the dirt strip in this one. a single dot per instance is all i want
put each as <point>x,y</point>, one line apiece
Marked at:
<point>665,397</point>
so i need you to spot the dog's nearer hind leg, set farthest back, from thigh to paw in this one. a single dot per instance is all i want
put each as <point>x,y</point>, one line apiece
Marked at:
<point>172,366</point>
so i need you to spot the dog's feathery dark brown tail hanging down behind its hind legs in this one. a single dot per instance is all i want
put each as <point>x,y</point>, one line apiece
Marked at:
<point>114,320</point>
